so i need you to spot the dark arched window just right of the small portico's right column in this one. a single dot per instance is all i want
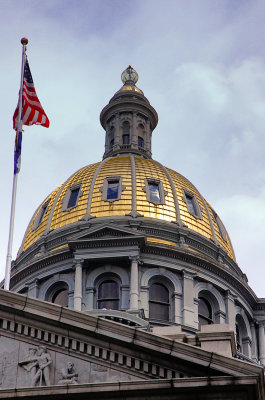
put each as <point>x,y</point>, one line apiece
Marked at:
<point>158,302</point>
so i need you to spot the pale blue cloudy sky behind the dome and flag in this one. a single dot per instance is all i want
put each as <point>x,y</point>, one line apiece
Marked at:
<point>201,64</point>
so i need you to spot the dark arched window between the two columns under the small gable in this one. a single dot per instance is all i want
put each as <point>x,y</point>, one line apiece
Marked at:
<point>108,295</point>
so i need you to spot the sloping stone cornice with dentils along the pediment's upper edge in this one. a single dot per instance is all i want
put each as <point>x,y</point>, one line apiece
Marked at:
<point>47,320</point>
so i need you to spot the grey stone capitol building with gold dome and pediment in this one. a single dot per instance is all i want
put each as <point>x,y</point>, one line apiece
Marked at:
<point>126,285</point>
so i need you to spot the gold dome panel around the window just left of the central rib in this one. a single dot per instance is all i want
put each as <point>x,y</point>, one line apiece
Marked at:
<point>121,167</point>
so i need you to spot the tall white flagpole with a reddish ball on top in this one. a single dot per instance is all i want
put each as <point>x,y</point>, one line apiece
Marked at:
<point>24,43</point>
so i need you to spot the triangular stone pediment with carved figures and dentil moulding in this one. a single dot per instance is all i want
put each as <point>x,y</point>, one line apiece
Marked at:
<point>33,332</point>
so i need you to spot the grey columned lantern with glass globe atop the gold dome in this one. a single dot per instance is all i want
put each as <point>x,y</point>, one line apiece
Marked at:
<point>128,119</point>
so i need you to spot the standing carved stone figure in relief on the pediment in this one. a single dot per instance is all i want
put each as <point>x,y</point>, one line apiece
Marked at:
<point>38,365</point>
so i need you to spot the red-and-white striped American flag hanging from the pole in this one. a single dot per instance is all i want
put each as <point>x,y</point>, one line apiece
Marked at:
<point>32,111</point>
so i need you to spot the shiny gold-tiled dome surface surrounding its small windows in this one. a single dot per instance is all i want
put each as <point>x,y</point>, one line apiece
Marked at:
<point>134,171</point>
